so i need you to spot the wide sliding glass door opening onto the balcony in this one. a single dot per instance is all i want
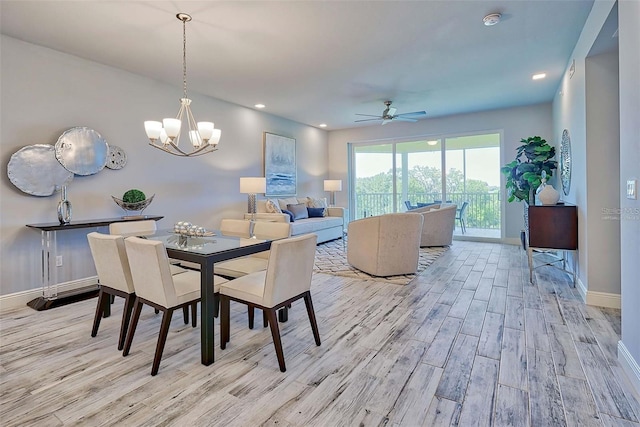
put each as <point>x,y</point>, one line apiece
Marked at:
<point>401,175</point>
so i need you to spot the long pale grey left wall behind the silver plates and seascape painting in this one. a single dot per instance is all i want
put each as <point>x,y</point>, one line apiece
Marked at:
<point>45,92</point>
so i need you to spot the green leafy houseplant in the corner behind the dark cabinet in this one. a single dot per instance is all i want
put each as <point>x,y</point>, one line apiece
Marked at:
<point>524,172</point>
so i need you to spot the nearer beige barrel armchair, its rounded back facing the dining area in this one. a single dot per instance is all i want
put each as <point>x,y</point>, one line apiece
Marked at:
<point>385,245</point>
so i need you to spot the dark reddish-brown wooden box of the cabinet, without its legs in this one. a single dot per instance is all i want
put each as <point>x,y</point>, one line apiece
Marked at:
<point>553,227</point>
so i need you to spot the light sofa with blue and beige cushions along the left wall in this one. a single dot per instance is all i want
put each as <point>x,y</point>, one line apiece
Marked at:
<point>327,227</point>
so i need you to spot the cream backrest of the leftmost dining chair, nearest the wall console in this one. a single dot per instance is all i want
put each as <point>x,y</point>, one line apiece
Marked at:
<point>110,257</point>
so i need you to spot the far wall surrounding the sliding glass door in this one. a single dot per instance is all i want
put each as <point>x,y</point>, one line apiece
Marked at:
<point>516,123</point>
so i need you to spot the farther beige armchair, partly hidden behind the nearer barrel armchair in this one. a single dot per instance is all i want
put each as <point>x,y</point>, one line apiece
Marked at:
<point>438,225</point>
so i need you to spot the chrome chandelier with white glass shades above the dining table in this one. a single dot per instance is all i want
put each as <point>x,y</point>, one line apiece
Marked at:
<point>165,135</point>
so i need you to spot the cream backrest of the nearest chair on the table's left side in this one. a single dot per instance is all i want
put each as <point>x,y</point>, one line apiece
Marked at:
<point>150,271</point>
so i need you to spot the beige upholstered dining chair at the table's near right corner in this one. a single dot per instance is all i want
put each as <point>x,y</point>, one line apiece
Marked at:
<point>286,279</point>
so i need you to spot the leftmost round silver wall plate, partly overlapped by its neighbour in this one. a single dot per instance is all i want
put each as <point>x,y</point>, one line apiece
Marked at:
<point>35,170</point>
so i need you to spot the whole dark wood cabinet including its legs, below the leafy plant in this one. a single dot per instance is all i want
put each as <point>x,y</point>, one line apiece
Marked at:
<point>553,228</point>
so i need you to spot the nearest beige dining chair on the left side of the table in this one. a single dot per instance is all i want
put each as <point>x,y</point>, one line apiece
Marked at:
<point>155,286</point>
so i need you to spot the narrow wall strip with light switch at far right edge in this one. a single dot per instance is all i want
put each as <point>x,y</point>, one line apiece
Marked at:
<point>629,40</point>
